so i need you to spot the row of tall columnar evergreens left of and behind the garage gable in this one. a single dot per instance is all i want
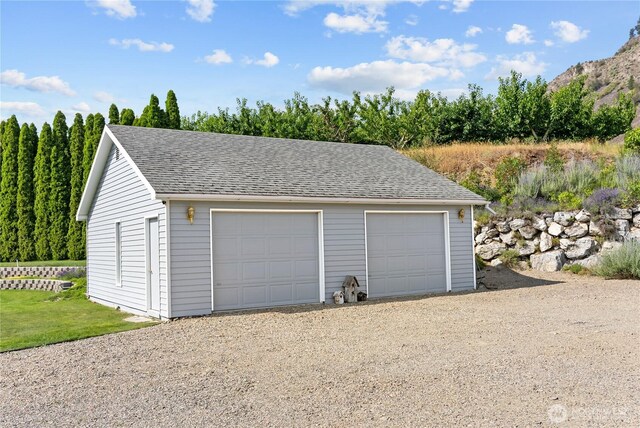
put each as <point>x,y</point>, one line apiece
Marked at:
<point>43,176</point>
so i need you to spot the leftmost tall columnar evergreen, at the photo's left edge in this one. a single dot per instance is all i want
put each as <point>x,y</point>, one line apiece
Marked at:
<point>9,191</point>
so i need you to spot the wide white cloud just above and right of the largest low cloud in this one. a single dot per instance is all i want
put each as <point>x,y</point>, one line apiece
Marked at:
<point>442,51</point>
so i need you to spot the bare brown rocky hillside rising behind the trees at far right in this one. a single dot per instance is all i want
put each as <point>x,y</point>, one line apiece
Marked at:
<point>607,77</point>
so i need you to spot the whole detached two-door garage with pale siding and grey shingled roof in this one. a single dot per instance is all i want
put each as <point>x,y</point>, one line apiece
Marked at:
<point>186,223</point>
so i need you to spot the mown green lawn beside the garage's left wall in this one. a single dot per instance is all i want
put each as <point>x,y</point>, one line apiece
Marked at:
<point>31,318</point>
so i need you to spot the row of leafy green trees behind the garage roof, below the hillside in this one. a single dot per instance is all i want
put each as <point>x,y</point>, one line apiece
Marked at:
<point>522,109</point>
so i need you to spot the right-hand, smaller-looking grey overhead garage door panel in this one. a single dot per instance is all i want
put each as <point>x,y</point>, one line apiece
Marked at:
<point>406,254</point>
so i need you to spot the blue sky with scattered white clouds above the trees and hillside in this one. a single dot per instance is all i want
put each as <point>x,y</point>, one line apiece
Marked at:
<point>79,56</point>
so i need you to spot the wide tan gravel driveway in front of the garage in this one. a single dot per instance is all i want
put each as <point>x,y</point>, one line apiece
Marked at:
<point>566,348</point>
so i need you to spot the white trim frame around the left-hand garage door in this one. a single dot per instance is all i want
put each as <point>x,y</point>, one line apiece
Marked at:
<point>320,219</point>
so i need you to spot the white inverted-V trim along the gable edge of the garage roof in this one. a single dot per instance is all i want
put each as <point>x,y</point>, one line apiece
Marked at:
<point>97,168</point>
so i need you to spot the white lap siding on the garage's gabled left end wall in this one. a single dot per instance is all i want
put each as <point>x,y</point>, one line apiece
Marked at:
<point>122,197</point>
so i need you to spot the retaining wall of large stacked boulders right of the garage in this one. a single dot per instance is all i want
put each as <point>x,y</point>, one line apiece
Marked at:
<point>549,241</point>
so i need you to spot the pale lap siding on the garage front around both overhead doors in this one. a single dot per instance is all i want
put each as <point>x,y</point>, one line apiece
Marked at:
<point>344,247</point>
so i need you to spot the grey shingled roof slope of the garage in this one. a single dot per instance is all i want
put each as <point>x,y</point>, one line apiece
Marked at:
<point>204,163</point>
